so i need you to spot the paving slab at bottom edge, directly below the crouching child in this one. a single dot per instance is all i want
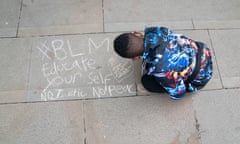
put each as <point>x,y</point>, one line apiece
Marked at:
<point>142,119</point>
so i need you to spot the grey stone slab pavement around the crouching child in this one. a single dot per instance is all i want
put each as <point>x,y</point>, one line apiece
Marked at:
<point>61,82</point>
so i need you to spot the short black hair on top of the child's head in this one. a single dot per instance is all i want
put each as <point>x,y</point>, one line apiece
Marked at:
<point>121,45</point>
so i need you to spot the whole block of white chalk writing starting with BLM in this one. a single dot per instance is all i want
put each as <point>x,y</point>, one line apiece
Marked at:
<point>65,66</point>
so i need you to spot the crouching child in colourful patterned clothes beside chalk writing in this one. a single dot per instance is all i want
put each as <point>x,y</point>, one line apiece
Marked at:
<point>174,63</point>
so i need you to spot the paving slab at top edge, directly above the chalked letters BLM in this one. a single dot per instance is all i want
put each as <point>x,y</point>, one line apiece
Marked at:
<point>60,17</point>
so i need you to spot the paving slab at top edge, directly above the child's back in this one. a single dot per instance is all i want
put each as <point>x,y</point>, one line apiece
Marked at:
<point>134,15</point>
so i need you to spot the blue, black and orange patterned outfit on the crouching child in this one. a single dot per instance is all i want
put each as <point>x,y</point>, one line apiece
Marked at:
<point>172,59</point>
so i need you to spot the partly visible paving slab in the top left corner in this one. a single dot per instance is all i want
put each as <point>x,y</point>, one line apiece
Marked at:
<point>9,14</point>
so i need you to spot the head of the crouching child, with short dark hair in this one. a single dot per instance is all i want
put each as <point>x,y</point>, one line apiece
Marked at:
<point>129,45</point>
